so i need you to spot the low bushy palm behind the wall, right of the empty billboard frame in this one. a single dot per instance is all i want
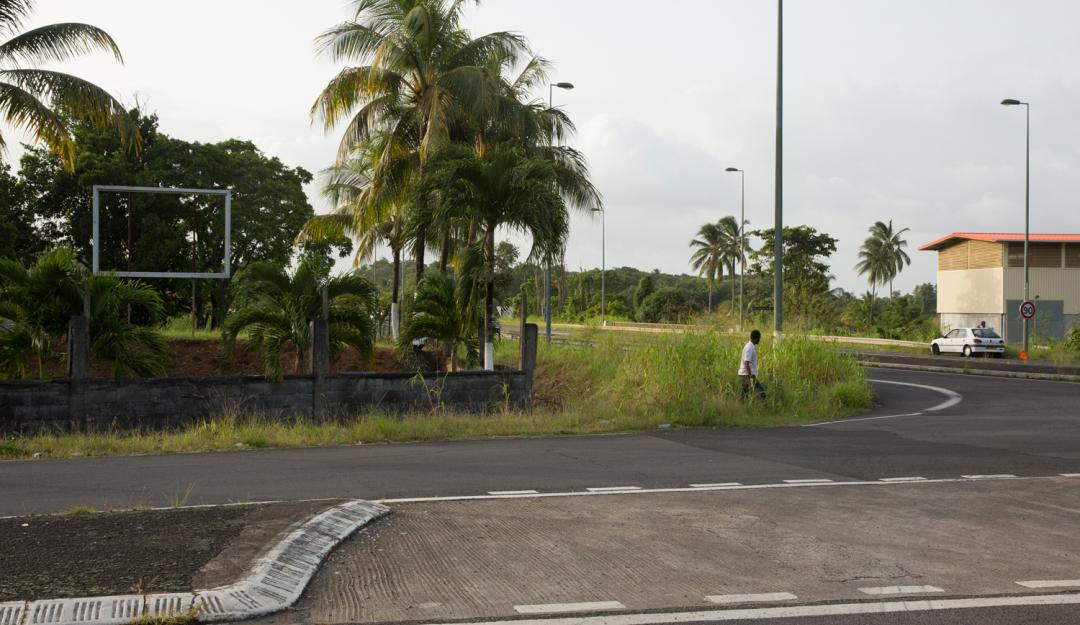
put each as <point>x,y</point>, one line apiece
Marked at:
<point>277,309</point>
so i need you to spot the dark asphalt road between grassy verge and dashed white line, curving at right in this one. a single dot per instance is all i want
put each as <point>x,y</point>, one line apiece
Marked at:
<point>1001,427</point>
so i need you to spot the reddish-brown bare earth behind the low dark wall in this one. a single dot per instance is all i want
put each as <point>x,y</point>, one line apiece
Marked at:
<point>197,359</point>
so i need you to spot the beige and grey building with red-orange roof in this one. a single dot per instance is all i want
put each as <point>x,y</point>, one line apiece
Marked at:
<point>981,279</point>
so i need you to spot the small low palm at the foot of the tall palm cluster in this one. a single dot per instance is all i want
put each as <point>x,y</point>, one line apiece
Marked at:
<point>440,314</point>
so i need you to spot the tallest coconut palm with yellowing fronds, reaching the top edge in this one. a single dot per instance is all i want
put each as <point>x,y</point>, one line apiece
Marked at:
<point>414,67</point>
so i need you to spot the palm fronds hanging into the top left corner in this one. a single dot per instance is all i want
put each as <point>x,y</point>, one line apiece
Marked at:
<point>45,103</point>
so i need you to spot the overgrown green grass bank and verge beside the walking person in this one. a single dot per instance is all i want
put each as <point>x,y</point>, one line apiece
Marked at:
<point>683,381</point>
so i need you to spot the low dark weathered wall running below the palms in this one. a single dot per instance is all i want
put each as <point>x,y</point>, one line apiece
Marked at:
<point>165,403</point>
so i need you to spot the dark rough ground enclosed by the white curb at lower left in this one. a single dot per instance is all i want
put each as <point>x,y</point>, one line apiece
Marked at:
<point>87,555</point>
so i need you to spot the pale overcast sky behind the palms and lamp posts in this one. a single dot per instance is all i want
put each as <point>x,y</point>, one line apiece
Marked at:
<point>892,108</point>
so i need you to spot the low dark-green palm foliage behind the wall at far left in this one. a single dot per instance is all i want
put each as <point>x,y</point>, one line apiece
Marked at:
<point>37,303</point>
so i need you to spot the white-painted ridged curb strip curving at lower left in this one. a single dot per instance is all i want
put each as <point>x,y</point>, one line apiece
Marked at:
<point>275,583</point>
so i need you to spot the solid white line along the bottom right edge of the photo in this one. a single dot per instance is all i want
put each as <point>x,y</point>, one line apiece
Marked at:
<point>804,612</point>
